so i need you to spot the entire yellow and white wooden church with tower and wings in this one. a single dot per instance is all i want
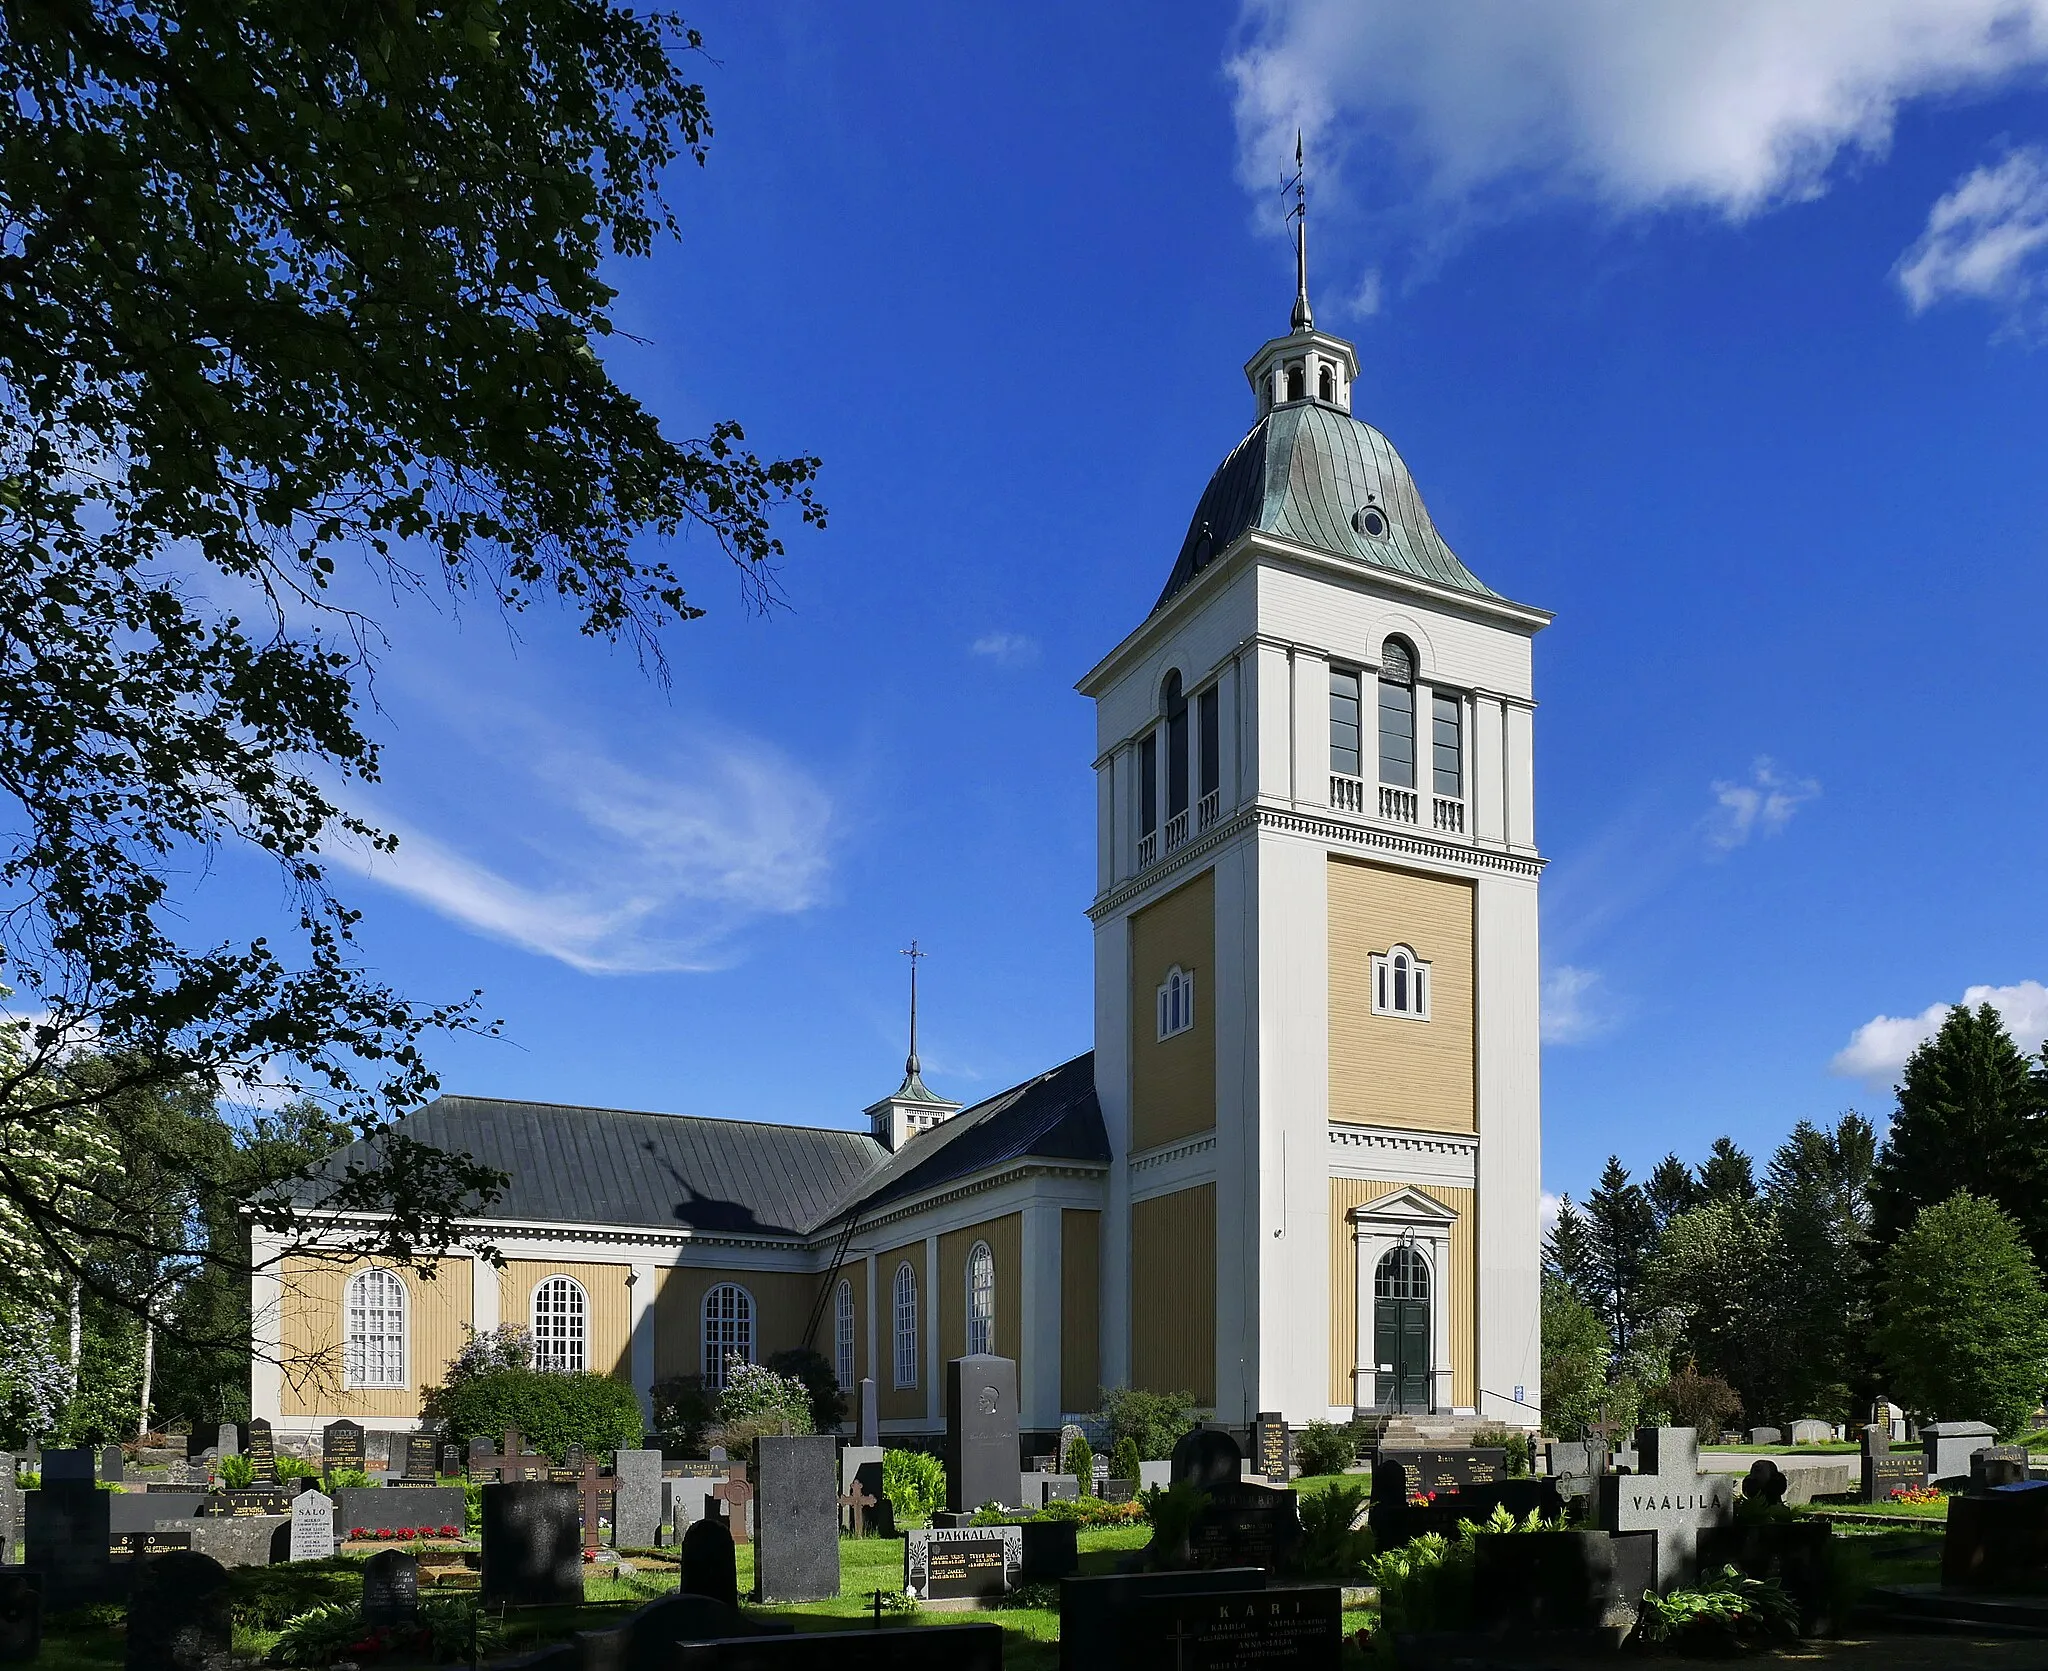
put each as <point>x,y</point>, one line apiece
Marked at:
<point>1297,1172</point>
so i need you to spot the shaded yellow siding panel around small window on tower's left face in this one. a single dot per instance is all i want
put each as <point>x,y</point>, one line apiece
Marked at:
<point>1175,1080</point>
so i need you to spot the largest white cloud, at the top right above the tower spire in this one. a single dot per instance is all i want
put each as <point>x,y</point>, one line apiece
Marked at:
<point>1734,105</point>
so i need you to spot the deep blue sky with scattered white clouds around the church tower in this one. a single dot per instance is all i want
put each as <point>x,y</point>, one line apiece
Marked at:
<point>1715,331</point>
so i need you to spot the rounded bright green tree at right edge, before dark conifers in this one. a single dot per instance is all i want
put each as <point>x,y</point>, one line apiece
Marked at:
<point>1965,1322</point>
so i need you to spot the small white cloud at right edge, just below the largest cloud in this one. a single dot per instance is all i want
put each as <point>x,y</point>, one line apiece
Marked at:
<point>1986,241</point>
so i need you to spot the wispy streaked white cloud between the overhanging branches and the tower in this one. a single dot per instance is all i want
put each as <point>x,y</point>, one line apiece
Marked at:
<point>628,869</point>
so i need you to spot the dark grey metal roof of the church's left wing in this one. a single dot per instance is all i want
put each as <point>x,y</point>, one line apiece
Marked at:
<point>605,1166</point>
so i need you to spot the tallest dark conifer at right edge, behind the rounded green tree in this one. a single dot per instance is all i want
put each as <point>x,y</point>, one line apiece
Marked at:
<point>1969,1119</point>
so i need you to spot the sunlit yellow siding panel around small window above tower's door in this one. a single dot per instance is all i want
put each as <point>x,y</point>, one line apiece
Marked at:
<point>1392,1070</point>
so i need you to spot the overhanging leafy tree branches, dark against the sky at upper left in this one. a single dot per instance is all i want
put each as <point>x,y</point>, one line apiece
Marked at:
<point>302,306</point>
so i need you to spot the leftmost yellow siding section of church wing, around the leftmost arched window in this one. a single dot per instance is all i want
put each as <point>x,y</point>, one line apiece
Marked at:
<point>312,1338</point>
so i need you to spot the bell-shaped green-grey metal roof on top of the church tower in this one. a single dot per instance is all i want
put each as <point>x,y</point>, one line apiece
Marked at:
<point>1304,474</point>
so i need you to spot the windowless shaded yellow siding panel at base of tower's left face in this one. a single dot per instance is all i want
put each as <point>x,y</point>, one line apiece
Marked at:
<point>1175,1293</point>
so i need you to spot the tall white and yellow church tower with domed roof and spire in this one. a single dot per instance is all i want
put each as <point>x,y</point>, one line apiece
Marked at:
<point>1316,941</point>
